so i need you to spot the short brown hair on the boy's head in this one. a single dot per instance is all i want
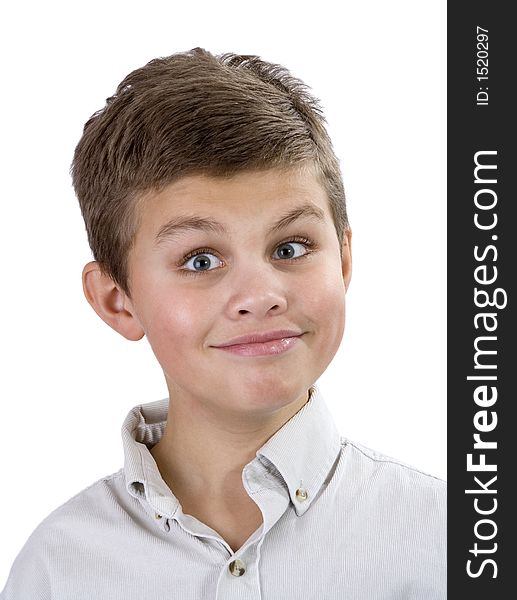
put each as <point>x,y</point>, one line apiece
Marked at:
<point>194,113</point>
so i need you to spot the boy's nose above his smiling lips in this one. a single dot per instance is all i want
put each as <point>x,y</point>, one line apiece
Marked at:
<point>256,291</point>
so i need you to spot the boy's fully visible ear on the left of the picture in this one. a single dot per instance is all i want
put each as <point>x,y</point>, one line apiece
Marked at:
<point>110,302</point>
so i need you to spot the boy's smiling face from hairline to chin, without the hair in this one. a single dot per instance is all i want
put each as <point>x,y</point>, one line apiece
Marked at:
<point>247,280</point>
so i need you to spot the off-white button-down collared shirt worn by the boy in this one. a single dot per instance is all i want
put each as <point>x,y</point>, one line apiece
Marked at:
<point>340,522</point>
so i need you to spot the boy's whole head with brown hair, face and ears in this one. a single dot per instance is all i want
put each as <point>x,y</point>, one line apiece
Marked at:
<point>215,209</point>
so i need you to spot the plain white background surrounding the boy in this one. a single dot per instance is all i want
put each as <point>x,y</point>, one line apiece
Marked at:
<point>68,380</point>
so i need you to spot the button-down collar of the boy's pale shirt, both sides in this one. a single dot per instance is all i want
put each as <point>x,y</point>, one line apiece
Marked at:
<point>302,453</point>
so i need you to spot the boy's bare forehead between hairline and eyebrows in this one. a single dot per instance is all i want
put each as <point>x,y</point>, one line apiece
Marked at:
<point>254,199</point>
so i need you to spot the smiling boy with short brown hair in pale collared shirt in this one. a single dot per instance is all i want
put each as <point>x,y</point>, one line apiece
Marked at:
<point>215,211</point>
